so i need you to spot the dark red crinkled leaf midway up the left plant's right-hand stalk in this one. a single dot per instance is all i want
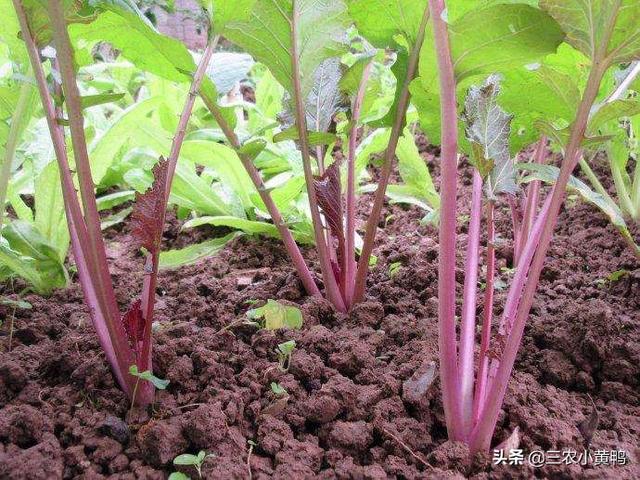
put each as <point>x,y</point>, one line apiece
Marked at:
<point>148,210</point>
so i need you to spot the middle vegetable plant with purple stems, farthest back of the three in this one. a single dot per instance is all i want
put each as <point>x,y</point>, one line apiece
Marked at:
<point>311,37</point>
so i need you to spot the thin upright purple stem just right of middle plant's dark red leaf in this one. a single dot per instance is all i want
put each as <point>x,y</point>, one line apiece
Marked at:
<point>350,251</point>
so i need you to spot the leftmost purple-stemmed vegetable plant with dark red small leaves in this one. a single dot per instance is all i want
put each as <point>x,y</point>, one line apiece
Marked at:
<point>126,338</point>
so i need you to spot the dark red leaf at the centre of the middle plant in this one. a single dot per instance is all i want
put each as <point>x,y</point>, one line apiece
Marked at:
<point>329,195</point>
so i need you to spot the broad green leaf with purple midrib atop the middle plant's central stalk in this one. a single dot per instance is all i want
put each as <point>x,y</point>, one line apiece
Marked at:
<point>263,28</point>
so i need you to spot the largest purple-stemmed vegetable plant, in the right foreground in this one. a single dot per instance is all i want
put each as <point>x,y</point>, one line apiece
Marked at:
<point>606,33</point>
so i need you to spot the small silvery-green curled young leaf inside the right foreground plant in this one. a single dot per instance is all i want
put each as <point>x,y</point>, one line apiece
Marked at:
<point>488,129</point>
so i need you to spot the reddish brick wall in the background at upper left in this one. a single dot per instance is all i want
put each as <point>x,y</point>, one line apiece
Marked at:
<point>182,24</point>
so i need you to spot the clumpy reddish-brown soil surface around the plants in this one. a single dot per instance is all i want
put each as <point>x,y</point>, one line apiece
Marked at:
<point>363,396</point>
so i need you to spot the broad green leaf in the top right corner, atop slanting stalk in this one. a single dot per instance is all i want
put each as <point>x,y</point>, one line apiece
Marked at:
<point>588,23</point>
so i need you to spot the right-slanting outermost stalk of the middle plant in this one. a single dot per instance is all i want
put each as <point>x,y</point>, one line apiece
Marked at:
<point>385,174</point>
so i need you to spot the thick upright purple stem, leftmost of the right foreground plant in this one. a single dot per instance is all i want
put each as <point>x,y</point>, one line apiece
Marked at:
<point>447,233</point>
